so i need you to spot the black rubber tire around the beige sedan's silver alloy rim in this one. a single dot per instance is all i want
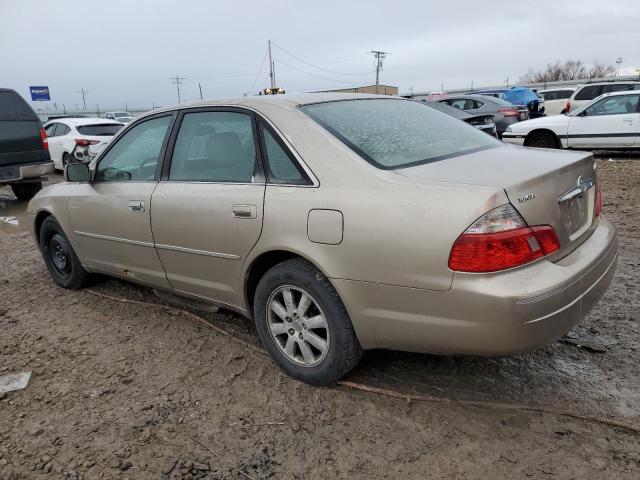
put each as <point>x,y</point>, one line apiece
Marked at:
<point>343,352</point>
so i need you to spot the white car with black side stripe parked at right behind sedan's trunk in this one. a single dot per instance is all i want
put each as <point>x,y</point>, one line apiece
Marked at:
<point>611,121</point>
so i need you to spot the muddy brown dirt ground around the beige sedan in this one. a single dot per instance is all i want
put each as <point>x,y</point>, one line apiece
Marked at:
<point>124,391</point>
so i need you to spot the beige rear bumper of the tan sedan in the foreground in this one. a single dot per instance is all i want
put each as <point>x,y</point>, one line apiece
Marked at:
<point>487,314</point>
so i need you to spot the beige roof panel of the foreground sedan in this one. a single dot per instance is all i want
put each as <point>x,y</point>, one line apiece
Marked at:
<point>286,101</point>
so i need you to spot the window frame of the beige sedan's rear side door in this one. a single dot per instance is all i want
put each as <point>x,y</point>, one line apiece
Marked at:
<point>259,177</point>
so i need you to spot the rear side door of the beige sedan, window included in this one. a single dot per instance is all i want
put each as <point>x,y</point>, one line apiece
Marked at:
<point>207,210</point>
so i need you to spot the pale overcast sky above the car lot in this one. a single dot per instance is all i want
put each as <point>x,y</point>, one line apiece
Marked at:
<point>124,51</point>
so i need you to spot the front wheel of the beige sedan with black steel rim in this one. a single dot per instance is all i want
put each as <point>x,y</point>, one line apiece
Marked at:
<point>59,257</point>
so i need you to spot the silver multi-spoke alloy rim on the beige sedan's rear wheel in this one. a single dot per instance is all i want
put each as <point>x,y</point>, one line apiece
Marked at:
<point>298,326</point>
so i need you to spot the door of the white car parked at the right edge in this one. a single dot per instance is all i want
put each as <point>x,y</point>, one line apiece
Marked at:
<point>611,122</point>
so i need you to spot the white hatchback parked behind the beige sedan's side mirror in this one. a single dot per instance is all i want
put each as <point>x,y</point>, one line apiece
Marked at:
<point>65,134</point>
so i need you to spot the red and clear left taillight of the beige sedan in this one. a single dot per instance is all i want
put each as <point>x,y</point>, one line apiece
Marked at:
<point>499,240</point>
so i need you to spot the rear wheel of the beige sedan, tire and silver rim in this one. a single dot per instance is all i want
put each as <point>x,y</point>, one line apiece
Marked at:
<point>304,325</point>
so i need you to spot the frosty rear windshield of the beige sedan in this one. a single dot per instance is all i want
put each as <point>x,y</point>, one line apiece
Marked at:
<point>391,133</point>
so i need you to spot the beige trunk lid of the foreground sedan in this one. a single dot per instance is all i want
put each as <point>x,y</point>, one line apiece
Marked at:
<point>547,187</point>
